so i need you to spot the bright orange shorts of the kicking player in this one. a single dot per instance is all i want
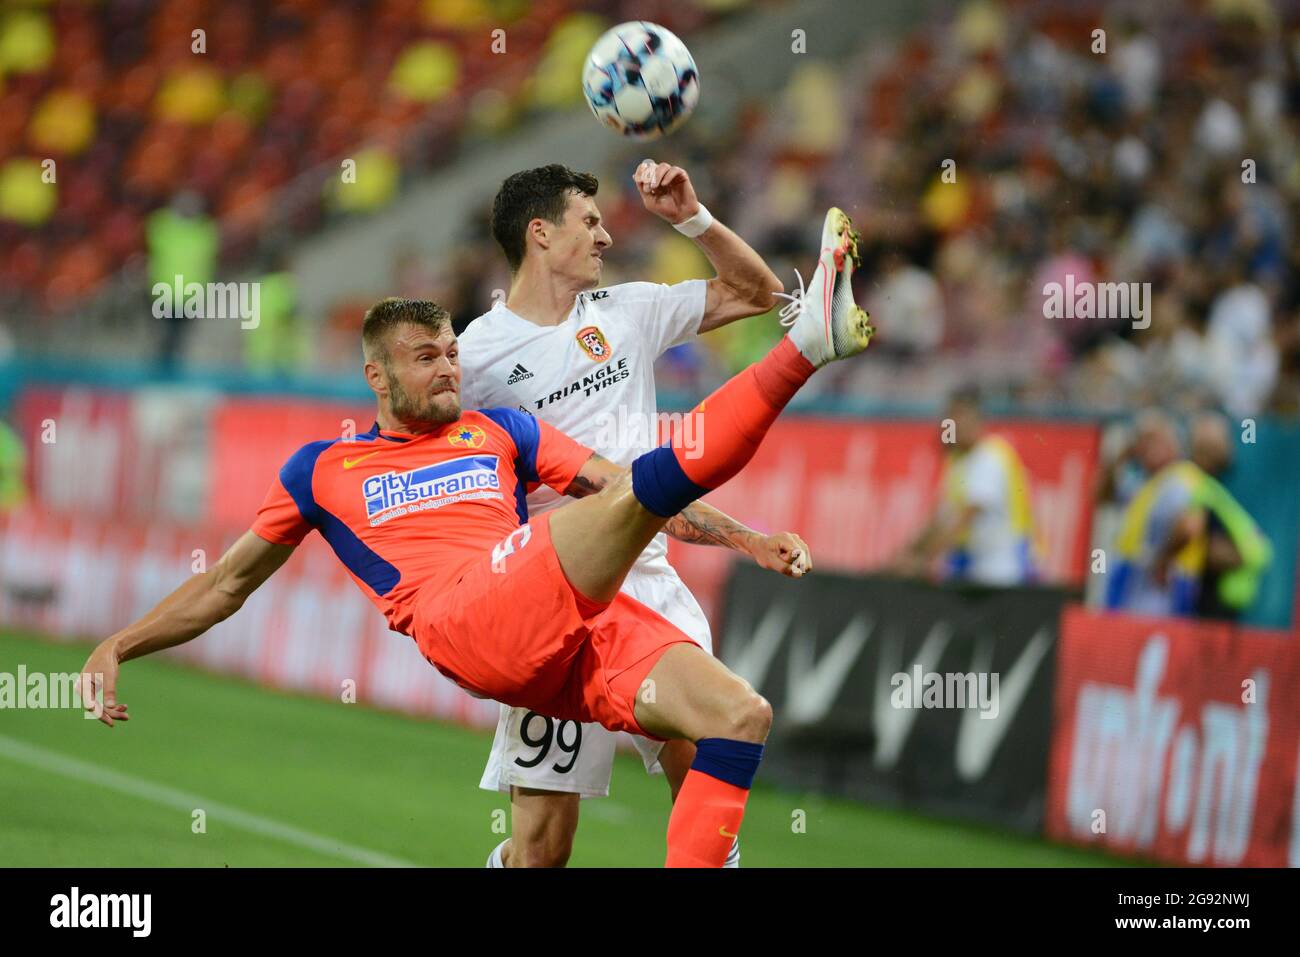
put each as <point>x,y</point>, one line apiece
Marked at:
<point>512,630</point>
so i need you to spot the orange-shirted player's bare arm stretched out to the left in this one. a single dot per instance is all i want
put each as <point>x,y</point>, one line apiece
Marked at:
<point>185,614</point>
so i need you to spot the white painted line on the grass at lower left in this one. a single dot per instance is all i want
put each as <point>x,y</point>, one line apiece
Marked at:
<point>188,803</point>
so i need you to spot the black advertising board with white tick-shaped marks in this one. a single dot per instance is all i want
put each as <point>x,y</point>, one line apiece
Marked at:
<point>846,662</point>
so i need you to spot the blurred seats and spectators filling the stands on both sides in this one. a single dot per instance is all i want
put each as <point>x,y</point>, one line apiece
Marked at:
<point>985,155</point>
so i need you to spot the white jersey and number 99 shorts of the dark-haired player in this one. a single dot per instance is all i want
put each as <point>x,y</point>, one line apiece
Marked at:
<point>593,378</point>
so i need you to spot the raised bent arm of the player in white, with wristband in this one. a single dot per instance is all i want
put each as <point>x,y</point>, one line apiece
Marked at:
<point>744,284</point>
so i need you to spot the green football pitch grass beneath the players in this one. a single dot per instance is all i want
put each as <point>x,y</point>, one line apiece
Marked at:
<point>291,781</point>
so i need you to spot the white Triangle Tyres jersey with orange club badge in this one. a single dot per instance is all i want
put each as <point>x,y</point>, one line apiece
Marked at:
<point>592,376</point>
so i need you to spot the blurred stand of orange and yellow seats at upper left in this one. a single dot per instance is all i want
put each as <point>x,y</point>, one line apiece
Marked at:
<point>138,110</point>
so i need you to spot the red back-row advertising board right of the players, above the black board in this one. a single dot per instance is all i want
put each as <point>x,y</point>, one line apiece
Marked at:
<point>859,492</point>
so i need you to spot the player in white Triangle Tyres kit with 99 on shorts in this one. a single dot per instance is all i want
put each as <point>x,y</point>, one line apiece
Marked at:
<point>583,360</point>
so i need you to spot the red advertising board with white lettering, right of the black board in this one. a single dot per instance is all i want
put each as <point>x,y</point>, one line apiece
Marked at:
<point>1176,741</point>
